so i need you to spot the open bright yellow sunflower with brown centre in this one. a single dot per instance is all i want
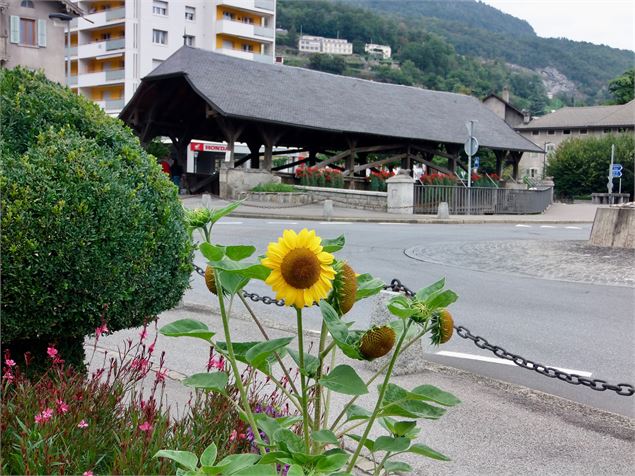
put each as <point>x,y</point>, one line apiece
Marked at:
<point>301,273</point>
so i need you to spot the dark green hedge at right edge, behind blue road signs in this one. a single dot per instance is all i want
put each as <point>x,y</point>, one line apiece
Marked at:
<point>581,166</point>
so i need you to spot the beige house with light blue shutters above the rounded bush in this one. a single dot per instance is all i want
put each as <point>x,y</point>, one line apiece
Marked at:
<point>31,36</point>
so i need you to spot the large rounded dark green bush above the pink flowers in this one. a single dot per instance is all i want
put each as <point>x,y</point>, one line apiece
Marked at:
<point>91,226</point>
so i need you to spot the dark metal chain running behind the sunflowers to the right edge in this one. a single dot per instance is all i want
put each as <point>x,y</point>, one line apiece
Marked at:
<point>395,285</point>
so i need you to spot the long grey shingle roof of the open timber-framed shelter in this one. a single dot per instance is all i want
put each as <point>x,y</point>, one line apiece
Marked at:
<point>312,99</point>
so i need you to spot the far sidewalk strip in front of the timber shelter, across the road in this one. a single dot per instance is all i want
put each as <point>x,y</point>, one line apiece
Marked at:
<point>556,213</point>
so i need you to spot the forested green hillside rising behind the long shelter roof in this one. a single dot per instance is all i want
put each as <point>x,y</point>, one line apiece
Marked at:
<point>461,46</point>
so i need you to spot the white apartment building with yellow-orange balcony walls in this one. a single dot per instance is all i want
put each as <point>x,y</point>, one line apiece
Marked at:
<point>117,42</point>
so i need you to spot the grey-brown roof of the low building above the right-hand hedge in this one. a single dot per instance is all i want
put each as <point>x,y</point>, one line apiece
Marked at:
<point>593,116</point>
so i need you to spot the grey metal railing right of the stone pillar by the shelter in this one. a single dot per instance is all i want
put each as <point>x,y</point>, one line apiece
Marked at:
<point>480,200</point>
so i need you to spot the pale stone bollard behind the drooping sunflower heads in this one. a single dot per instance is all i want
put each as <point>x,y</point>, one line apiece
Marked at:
<point>411,360</point>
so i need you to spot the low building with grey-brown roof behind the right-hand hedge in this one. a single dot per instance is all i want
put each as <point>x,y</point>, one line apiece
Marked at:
<point>551,130</point>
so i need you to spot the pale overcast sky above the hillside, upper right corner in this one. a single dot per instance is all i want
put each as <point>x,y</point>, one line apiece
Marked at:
<point>604,22</point>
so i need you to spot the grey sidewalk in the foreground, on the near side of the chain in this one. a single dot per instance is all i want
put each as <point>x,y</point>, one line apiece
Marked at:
<point>498,428</point>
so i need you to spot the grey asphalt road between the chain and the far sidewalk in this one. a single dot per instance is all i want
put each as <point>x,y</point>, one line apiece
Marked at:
<point>587,328</point>
